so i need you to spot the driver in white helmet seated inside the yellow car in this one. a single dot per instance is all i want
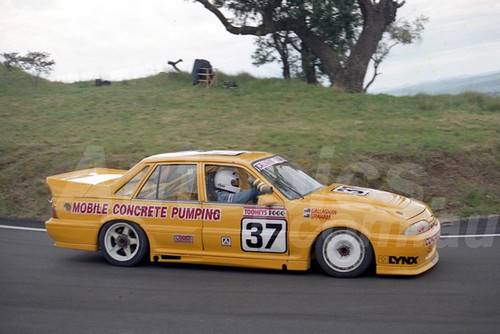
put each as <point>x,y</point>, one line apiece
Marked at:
<point>227,184</point>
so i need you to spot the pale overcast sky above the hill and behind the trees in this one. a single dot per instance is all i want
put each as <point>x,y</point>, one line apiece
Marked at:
<point>126,39</point>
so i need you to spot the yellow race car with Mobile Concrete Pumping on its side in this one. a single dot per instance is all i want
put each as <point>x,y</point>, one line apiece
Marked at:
<point>239,208</point>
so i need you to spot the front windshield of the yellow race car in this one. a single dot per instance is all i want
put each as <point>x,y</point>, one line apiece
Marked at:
<point>290,180</point>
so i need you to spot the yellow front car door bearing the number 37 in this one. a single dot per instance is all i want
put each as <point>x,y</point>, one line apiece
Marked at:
<point>243,229</point>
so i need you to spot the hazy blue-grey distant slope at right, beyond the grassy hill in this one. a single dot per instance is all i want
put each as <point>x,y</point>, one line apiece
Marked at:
<point>484,83</point>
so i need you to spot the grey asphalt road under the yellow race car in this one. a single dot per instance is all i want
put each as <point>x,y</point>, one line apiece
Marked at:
<point>44,289</point>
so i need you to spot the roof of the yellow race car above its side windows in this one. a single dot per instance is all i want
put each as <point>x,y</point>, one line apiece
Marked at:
<point>213,155</point>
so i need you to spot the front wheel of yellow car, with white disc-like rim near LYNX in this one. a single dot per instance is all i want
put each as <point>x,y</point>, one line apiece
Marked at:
<point>343,252</point>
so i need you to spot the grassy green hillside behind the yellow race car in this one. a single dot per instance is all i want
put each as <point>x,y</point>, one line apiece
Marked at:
<point>441,149</point>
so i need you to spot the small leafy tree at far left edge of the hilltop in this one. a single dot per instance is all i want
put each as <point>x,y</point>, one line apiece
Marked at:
<point>35,63</point>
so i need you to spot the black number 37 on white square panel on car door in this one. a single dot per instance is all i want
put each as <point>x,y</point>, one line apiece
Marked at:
<point>263,235</point>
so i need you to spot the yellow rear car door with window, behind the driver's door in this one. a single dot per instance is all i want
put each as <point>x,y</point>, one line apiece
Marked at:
<point>171,190</point>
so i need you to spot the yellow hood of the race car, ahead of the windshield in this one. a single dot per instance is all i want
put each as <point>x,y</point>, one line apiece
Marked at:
<point>369,199</point>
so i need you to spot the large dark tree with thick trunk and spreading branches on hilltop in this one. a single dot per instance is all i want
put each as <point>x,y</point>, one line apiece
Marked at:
<point>342,34</point>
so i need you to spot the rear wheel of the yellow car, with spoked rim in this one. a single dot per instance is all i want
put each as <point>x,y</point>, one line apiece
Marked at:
<point>123,243</point>
